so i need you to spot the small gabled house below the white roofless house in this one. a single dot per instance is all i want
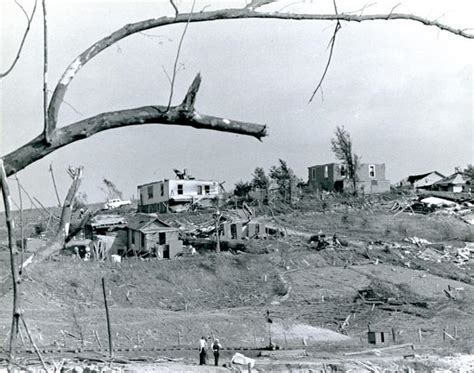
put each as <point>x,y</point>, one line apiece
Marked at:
<point>148,236</point>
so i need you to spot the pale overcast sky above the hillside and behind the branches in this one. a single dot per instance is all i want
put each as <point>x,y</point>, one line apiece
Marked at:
<point>403,90</point>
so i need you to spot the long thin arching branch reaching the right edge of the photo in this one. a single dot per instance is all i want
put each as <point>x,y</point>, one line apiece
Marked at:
<point>225,14</point>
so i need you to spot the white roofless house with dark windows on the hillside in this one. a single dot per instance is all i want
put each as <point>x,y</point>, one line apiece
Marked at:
<point>176,195</point>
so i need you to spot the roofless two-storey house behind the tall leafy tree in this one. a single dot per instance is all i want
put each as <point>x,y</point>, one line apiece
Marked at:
<point>334,177</point>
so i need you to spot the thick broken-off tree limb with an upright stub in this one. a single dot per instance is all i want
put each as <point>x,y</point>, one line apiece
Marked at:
<point>181,115</point>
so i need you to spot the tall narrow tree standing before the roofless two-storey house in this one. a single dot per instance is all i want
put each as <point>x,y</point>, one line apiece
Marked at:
<point>341,145</point>
